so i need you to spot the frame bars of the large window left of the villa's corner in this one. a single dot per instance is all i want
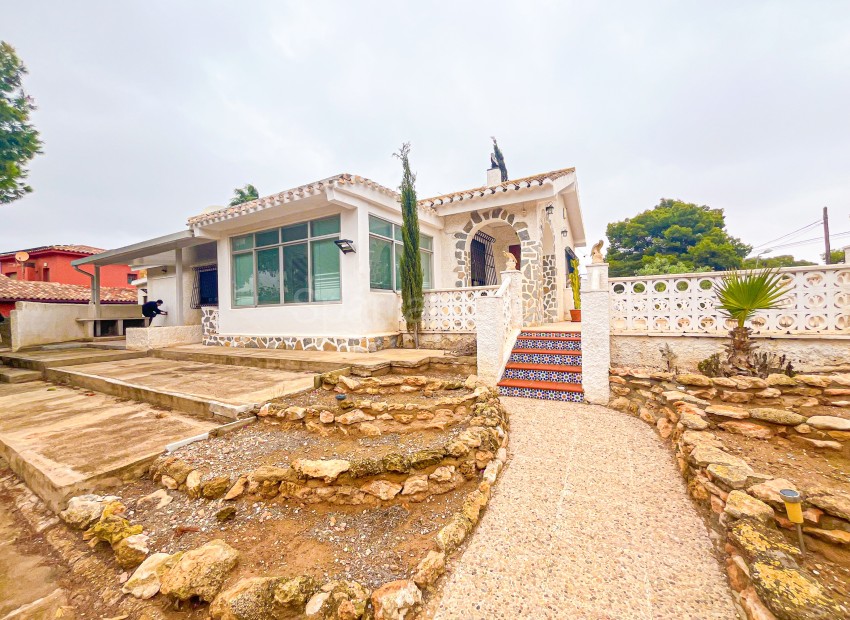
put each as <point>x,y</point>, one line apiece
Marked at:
<point>280,245</point>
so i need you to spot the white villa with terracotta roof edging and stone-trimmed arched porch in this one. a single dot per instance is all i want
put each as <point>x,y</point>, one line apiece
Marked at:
<point>316,266</point>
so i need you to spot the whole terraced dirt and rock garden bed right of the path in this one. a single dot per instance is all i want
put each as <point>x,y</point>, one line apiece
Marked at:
<point>739,441</point>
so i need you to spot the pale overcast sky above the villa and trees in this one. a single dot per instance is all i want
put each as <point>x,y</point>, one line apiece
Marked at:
<point>151,112</point>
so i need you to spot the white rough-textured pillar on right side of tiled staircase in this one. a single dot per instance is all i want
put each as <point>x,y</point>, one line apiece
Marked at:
<point>596,335</point>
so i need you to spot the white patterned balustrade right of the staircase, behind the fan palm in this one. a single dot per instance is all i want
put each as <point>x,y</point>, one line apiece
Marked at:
<point>817,303</point>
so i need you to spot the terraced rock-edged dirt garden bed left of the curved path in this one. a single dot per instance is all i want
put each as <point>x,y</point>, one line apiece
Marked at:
<point>324,508</point>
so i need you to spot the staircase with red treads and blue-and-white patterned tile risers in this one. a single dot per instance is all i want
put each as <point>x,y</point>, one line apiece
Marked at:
<point>544,365</point>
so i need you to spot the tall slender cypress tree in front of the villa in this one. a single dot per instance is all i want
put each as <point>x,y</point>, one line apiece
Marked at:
<point>412,299</point>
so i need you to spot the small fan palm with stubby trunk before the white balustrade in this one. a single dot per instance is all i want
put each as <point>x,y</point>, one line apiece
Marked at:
<point>740,296</point>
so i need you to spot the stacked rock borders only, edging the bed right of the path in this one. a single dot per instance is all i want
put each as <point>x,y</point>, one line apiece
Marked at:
<point>762,568</point>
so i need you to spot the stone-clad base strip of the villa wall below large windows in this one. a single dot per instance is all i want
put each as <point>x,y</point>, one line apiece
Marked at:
<point>364,344</point>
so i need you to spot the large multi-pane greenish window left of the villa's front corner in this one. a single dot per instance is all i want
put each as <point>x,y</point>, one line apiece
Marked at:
<point>293,264</point>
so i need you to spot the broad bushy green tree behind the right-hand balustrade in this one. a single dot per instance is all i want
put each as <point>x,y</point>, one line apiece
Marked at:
<point>684,233</point>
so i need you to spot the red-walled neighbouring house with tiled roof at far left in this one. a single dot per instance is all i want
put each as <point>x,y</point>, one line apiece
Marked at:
<point>52,263</point>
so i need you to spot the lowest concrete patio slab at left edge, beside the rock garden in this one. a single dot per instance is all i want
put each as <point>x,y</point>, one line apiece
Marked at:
<point>64,442</point>
